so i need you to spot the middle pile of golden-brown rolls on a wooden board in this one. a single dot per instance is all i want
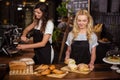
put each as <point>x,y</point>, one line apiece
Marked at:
<point>50,71</point>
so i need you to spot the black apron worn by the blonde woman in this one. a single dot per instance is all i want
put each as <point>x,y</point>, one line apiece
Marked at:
<point>80,52</point>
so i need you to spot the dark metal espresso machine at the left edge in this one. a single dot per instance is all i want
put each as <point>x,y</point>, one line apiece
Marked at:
<point>9,38</point>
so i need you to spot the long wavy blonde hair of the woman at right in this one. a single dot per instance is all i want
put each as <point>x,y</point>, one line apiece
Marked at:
<point>75,30</point>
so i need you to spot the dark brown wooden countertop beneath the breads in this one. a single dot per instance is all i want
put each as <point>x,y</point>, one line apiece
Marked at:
<point>101,71</point>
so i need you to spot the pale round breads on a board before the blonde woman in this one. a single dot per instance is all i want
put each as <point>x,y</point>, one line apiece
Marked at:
<point>72,67</point>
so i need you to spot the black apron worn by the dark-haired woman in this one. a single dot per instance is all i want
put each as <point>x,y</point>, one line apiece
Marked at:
<point>42,54</point>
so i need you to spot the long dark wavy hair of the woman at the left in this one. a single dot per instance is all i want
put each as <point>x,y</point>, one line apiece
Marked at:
<point>45,17</point>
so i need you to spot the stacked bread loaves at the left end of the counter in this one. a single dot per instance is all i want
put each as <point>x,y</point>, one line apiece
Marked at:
<point>21,67</point>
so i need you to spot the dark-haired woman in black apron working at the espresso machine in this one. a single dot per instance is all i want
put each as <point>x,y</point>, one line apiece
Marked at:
<point>42,27</point>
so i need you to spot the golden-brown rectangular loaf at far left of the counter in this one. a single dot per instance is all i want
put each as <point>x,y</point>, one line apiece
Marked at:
<point>16,65</point>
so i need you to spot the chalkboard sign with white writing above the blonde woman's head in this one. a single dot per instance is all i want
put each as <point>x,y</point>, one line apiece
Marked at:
<point>75,5</point>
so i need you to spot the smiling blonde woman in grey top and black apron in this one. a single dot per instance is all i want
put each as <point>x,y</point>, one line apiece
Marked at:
<point>82,41</point>
